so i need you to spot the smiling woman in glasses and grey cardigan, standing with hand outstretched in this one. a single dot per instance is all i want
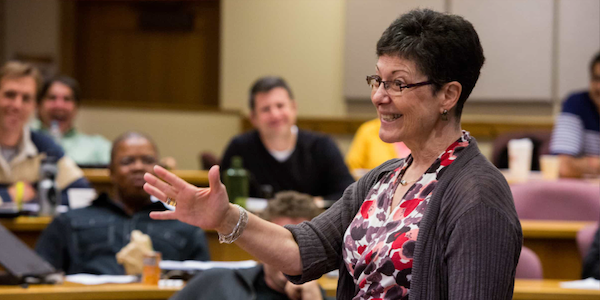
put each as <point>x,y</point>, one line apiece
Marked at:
<point>440,224</point>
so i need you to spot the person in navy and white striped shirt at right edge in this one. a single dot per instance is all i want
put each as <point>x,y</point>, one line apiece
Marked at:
<point>576,135</point>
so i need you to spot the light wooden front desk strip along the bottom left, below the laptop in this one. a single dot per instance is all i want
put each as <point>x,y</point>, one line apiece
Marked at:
<point>74,291</point>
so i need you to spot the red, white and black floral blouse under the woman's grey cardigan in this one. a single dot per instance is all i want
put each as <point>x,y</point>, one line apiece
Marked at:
<point>379,243</point>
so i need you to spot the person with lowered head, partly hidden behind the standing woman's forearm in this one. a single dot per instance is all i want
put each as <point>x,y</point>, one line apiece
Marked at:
<point>263,281</point>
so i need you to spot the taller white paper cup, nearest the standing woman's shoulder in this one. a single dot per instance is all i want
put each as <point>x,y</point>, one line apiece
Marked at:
<point>519,159</point>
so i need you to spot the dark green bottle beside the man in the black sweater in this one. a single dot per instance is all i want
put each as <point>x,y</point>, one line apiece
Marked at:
<point>236,181</point>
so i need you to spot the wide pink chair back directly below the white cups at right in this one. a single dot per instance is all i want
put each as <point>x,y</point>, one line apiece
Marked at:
<point>565,199</point>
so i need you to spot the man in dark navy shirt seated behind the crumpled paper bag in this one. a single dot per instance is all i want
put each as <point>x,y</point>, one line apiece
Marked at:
<point>86,240</point>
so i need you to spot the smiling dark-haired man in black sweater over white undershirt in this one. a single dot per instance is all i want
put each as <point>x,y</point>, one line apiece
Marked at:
<point>280,155</point>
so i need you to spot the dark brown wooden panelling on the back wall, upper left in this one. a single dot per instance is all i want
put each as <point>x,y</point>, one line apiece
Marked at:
<point>122,64</point>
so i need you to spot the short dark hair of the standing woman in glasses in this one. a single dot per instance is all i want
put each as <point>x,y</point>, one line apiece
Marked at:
<point>444,48</point>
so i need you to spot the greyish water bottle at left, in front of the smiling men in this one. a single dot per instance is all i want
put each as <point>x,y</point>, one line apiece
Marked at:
<point>48,193</point>
